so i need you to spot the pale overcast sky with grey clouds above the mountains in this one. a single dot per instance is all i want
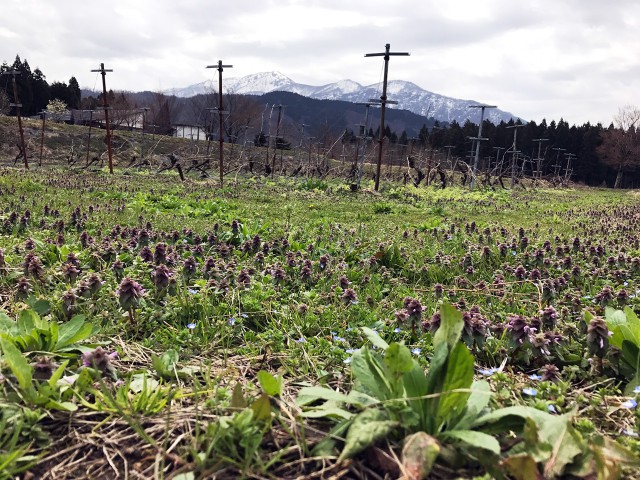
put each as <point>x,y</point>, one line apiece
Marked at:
<point>576,59</point>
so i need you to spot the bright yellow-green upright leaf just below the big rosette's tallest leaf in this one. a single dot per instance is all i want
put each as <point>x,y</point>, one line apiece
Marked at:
<point>459,375</point>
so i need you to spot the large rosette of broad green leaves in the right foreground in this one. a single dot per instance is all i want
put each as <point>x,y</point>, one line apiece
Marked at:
<point>444,416</point>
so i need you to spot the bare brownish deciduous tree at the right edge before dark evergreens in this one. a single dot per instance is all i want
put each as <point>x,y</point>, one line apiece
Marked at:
<point>620,148</point>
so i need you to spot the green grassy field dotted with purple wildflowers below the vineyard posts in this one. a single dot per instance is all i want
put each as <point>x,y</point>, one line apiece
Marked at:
<point>279,328</point>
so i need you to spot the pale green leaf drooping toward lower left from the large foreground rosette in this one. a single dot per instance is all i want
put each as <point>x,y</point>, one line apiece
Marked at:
<point>367,428</point>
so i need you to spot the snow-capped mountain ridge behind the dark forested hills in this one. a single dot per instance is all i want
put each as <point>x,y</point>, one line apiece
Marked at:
<point>408,95</point>
